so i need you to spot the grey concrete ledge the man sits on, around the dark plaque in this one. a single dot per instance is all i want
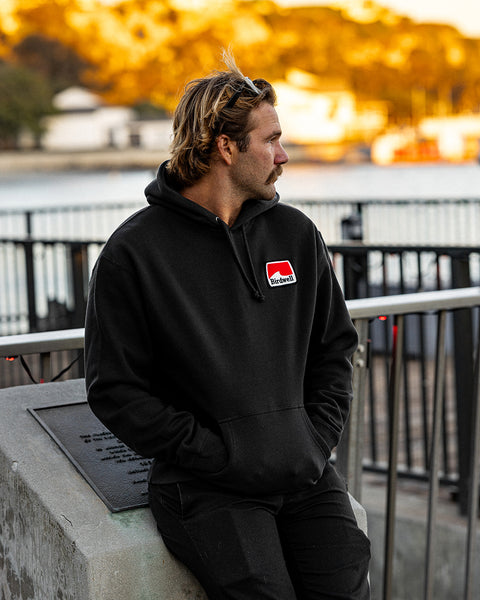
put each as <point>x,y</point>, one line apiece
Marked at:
<point>58,540</point>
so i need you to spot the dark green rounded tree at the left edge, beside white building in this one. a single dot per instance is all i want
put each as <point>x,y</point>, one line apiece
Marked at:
<point>25,98</point>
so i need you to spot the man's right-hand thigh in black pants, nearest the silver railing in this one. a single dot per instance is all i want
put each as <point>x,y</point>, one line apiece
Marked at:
<point>326,553</point>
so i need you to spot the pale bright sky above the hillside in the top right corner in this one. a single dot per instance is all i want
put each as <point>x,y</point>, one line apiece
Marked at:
<point>462,14</point>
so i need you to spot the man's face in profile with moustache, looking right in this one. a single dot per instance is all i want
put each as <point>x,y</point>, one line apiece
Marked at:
<point>255,171</point>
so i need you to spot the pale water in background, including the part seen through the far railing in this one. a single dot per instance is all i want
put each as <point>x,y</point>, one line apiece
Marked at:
<point>435,223</point>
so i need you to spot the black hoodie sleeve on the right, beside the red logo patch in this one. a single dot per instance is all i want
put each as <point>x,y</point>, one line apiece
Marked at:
<point>328,378</point>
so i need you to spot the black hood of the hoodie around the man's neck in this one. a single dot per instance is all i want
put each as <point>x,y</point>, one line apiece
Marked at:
<point>159,191</point>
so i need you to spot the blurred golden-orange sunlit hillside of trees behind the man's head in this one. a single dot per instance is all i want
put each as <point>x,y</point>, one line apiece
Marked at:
<point>352,72</point>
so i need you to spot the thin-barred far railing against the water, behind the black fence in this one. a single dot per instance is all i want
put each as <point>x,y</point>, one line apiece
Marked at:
<point>440,221</point>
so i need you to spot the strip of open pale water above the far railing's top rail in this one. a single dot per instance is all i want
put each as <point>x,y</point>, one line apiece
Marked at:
<point>299,182</point>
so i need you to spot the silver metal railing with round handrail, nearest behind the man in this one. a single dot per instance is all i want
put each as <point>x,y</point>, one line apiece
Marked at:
<point>350,453</point>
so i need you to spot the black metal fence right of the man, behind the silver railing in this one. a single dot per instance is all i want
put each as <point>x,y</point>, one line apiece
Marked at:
<point>370,271</point>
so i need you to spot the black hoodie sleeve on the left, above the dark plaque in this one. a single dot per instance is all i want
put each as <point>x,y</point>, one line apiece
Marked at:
<point>119,370</point>
